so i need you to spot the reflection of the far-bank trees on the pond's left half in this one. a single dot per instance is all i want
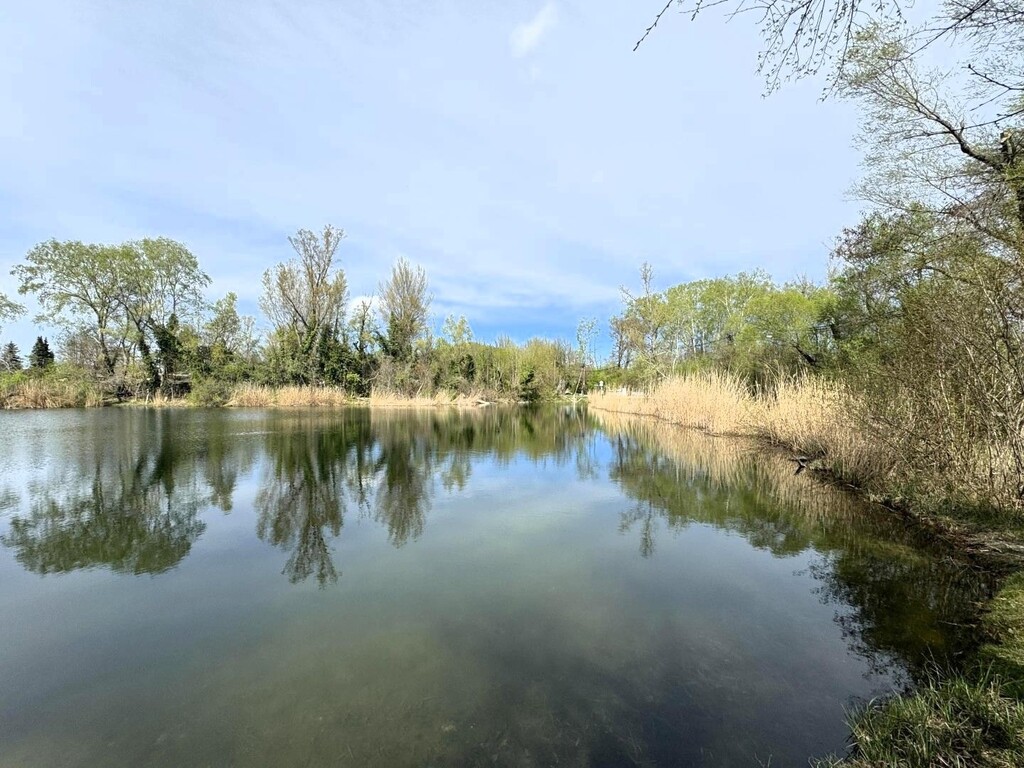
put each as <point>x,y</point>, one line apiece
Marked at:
<point>127,494</point>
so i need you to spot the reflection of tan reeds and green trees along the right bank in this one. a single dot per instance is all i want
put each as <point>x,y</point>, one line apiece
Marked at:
<point>900,607</point>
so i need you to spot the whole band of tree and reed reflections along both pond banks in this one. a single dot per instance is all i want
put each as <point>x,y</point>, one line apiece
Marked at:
<point>129,494</point>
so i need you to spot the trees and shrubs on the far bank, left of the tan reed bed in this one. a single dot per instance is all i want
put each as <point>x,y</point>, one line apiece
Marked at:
<point>135,318</point>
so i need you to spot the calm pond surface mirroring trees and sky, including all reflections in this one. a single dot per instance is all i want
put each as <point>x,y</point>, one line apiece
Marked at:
<point>431,589</point>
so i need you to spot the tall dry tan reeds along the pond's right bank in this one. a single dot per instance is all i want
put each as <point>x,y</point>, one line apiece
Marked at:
<point>837,432</point>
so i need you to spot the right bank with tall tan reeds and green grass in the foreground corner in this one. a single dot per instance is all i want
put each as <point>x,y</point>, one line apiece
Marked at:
<point>972,719</point>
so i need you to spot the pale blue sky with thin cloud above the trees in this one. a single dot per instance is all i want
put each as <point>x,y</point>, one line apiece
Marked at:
<point>521,152</point>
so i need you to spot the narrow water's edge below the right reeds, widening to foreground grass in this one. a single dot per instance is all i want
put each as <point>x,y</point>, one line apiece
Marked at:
<point>990,686</point>
